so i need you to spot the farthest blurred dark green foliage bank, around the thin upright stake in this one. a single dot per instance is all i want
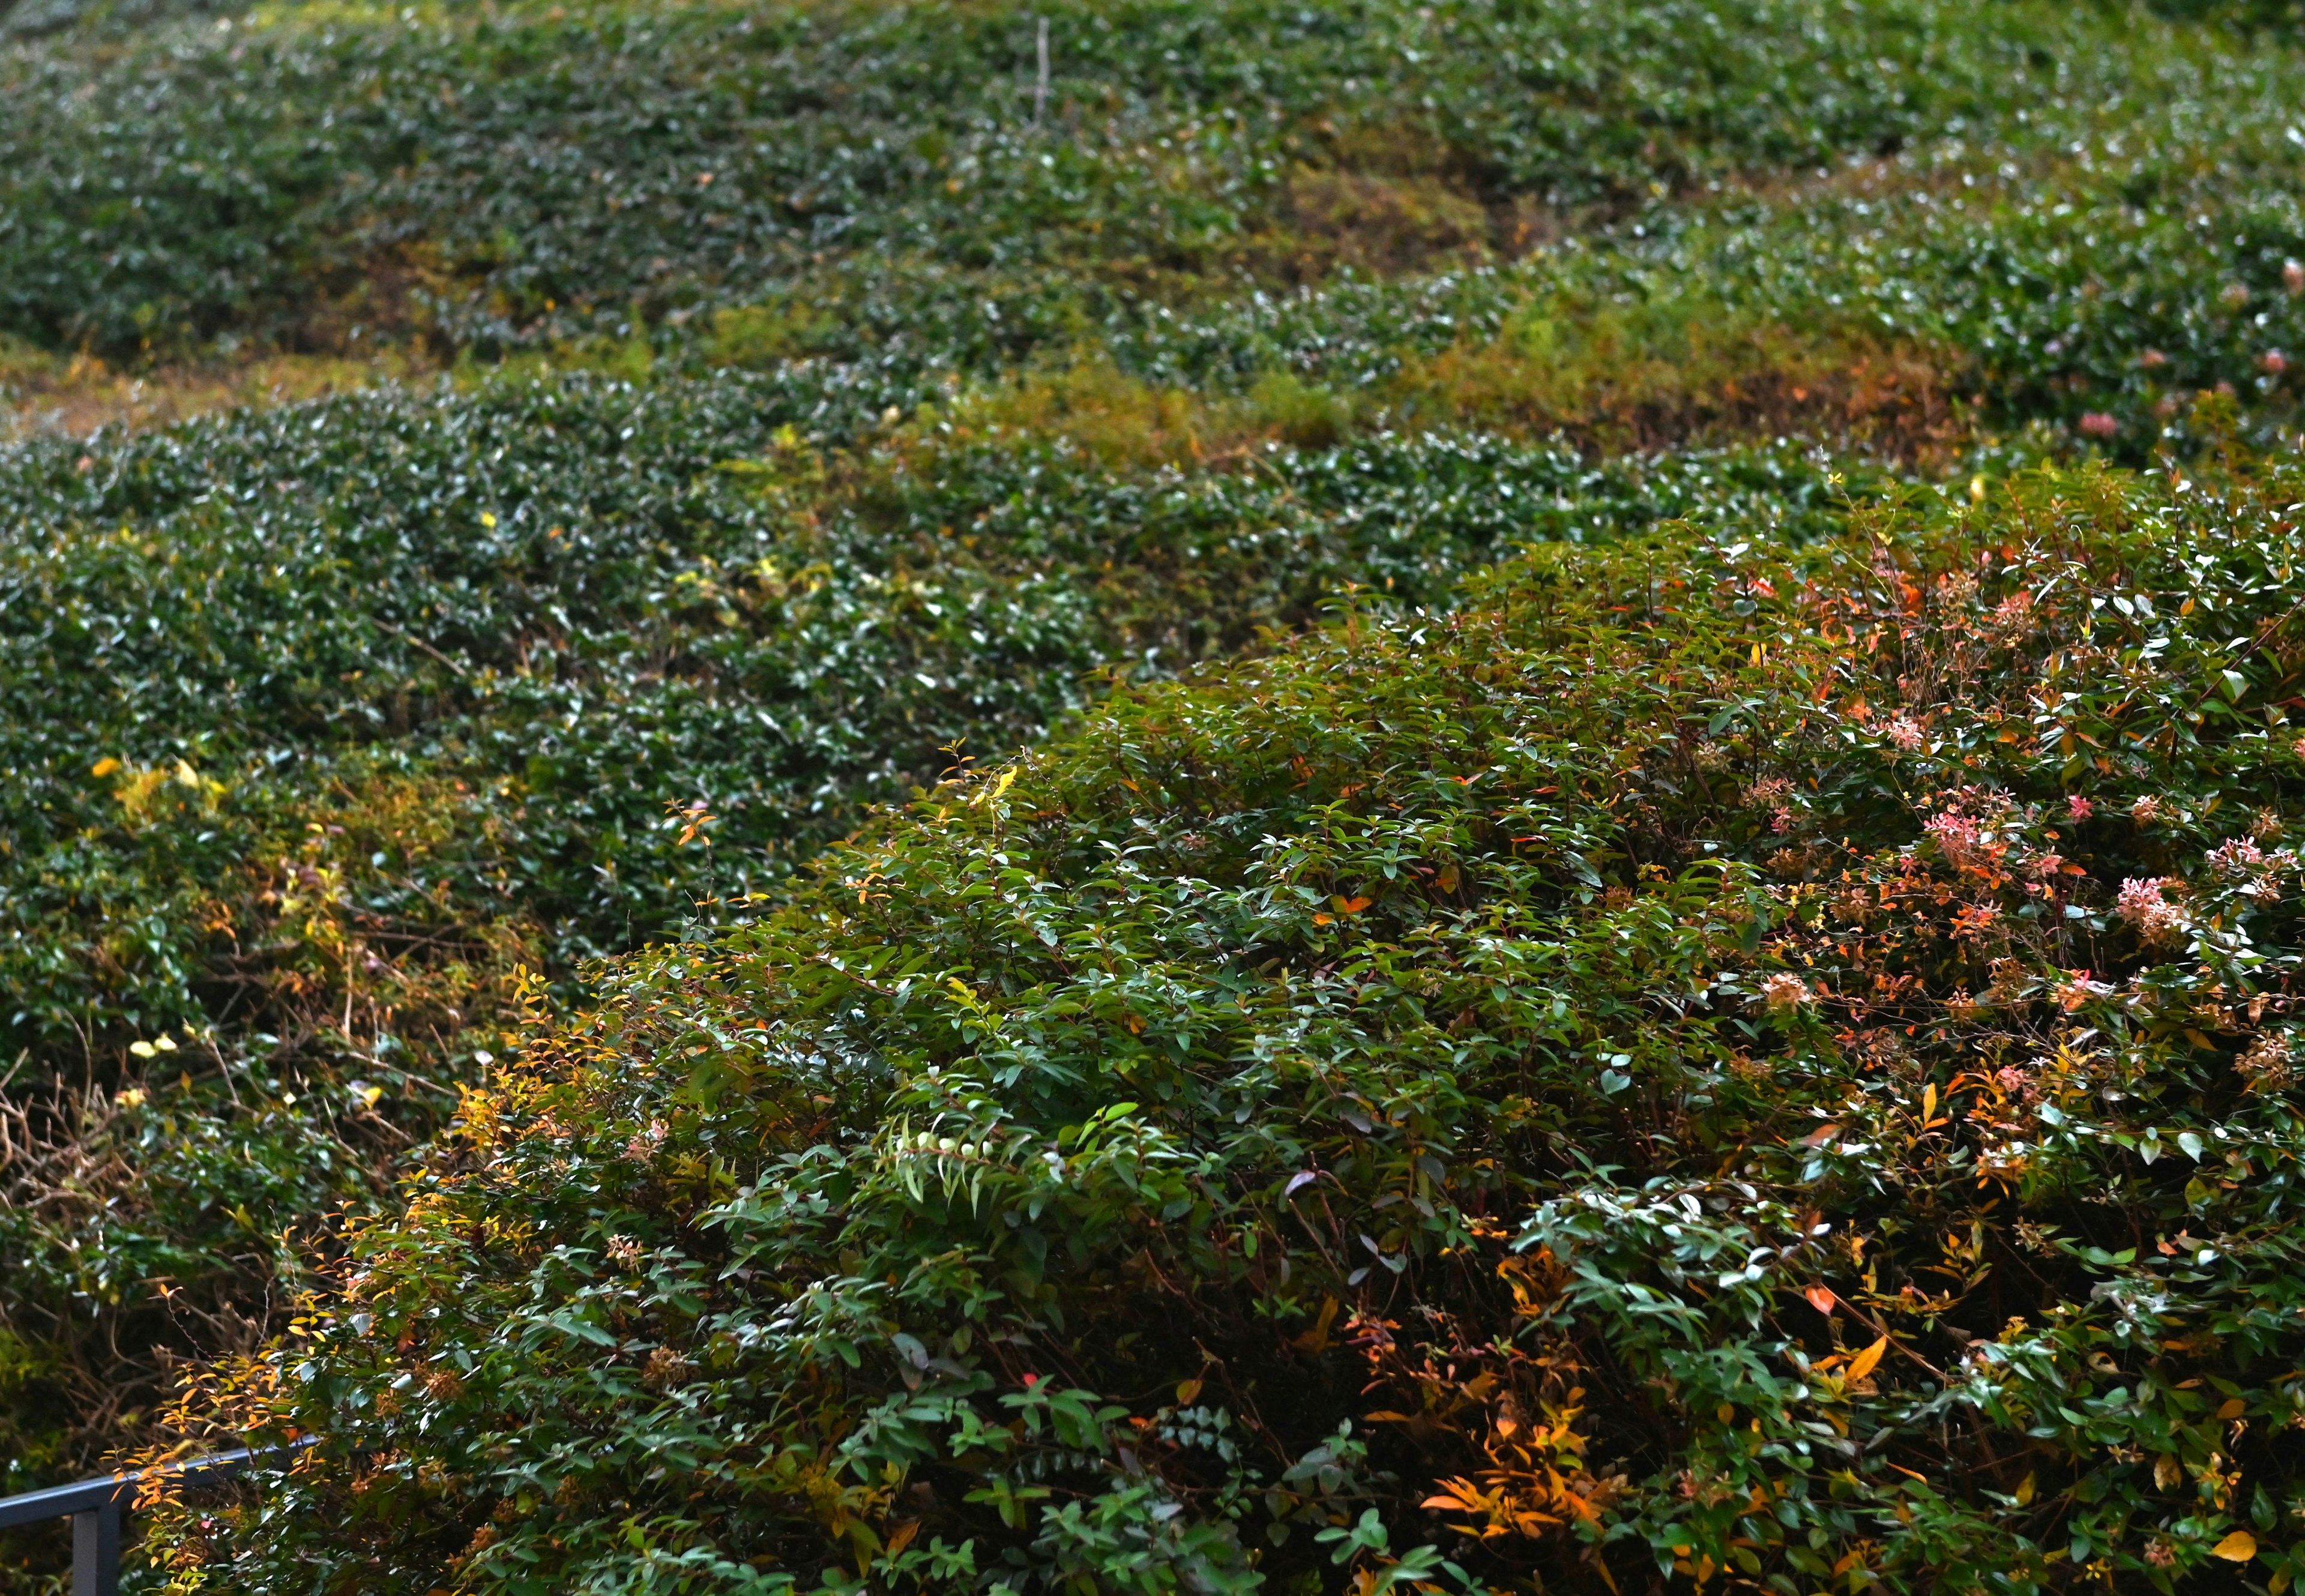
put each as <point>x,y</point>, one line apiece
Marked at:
<point>524,174</point>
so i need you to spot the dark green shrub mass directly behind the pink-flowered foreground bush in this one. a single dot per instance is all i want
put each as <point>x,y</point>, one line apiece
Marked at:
<point>322,721</point>
